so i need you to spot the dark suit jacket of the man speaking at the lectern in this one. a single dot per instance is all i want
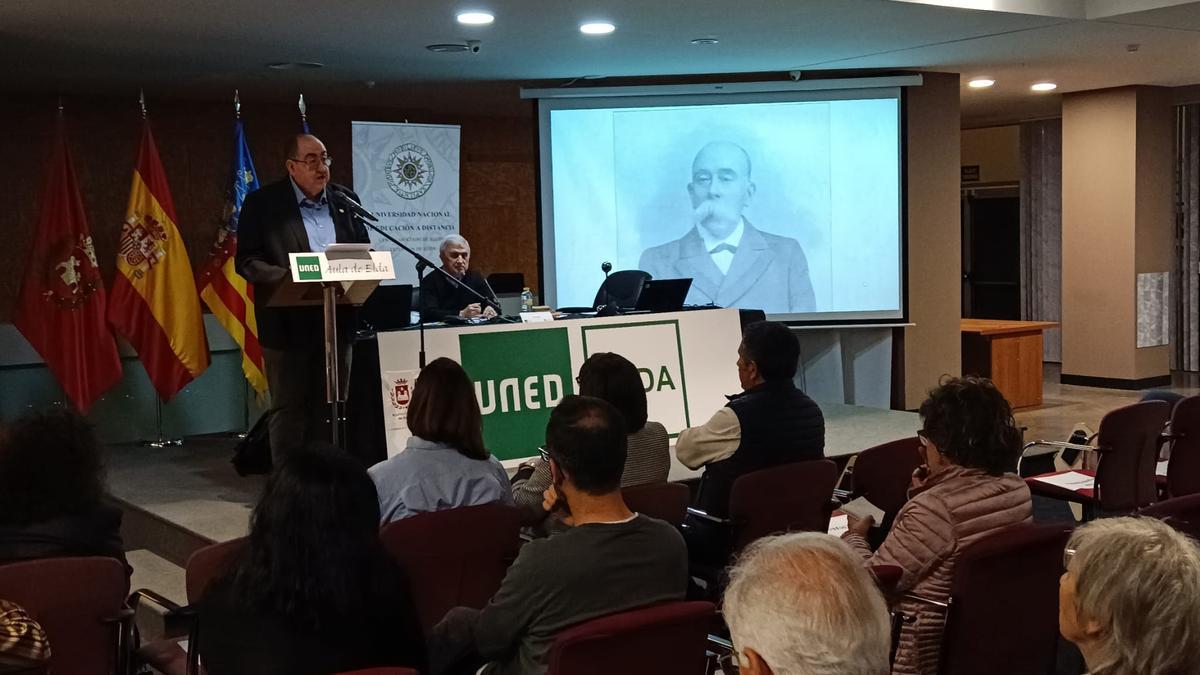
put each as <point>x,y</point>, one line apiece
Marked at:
<point>269,229</point>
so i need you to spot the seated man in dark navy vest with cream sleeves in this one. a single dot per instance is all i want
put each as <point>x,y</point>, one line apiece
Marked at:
<point>771,423</point>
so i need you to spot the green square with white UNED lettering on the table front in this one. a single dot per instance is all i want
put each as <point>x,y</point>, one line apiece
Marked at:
<point>519,378</point>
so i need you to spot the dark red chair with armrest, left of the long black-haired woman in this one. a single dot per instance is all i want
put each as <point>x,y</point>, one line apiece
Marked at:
<point>205,568</point>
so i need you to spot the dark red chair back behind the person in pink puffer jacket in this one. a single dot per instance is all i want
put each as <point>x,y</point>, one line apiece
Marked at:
<point>1004,614</point>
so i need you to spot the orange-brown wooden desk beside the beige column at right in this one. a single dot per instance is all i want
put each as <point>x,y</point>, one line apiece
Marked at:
<point>1010,353</point>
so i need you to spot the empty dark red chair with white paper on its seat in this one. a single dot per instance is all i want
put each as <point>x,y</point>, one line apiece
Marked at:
<point>1127,449</point>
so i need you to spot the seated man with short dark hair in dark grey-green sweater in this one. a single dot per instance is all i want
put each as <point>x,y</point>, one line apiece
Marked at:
<point>610,560</point>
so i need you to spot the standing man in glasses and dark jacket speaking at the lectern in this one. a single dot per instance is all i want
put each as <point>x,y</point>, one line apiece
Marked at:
<point>296,216</point>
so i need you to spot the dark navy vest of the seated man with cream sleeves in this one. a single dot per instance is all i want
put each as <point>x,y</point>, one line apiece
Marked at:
<point>781,425</point>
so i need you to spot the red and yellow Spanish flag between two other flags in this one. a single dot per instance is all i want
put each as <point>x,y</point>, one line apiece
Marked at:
<point>154,303</point>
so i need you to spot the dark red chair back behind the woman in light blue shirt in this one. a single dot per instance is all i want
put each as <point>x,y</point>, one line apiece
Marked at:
<point>455,558</point>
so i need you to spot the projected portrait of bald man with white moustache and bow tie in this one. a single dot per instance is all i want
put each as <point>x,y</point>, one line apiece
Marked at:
<point>731,262</point>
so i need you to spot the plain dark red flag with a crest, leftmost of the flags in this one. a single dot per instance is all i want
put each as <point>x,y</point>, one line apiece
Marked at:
<point>62,304</point>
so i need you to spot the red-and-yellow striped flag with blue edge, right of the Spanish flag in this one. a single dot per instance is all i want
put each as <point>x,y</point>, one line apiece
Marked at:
<point>226,294</point>
